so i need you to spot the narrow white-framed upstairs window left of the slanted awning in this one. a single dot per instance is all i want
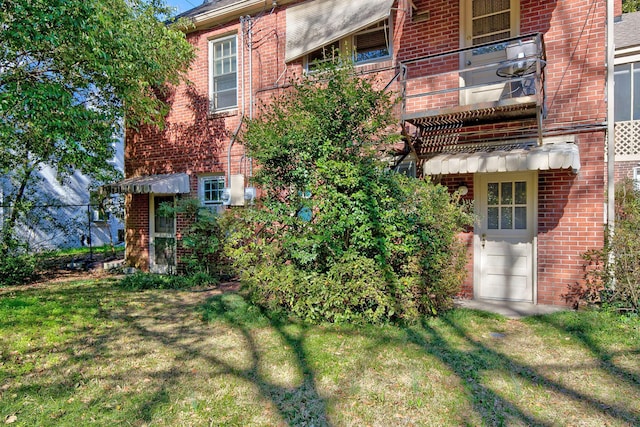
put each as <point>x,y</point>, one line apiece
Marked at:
<point>223,78</point>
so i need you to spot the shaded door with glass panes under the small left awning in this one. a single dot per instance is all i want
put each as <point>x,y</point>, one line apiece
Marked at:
<point>162,235</point>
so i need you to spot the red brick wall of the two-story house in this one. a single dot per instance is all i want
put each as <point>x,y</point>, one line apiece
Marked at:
<point>570,206</point>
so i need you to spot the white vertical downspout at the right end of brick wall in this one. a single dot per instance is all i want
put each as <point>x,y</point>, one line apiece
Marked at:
<point>611,151</point>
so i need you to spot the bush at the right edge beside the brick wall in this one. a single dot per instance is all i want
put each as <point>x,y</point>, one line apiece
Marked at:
<point>612,274</point>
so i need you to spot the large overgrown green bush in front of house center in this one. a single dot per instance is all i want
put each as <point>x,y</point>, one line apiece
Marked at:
<point>337,236</point>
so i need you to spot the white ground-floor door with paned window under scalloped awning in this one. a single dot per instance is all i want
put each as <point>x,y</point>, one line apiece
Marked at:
<point>504,250</point>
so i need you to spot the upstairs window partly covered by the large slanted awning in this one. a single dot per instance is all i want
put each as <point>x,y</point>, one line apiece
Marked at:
<point>371,44</point>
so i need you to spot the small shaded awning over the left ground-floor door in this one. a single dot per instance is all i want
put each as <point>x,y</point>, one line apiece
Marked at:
<point>174,183</point>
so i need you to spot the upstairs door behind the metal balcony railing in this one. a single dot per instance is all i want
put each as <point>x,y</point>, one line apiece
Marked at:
<point>486,21</point>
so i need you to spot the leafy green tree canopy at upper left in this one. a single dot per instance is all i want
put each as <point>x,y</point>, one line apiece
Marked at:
<point>70,71</point>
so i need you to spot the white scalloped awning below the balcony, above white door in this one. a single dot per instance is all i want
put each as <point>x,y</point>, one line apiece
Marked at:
<point>563,155</point>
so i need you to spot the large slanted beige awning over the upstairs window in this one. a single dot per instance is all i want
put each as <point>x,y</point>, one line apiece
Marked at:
<point>313,24</point>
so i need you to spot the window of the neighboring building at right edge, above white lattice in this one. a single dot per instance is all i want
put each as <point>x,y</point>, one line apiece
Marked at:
<point>627,92</point>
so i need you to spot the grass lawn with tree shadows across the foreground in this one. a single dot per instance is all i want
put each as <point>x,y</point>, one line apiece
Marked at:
<point>87,352</point>
